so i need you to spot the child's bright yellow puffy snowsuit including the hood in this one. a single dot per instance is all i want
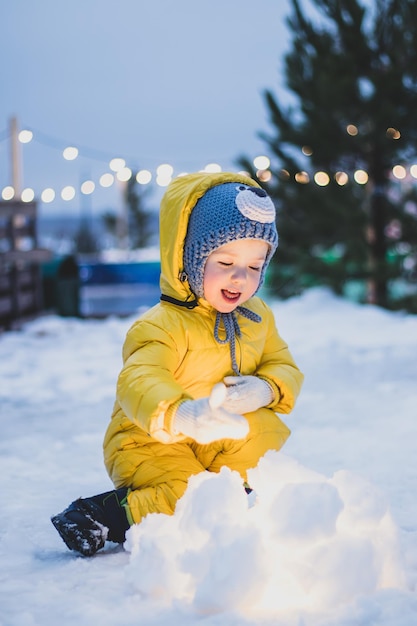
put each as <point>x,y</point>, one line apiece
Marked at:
<point>170,355</point>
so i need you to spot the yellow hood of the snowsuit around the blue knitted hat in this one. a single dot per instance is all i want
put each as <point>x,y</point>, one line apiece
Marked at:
<point>176,206</point>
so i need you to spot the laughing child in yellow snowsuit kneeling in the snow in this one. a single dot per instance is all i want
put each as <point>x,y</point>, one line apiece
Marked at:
<point>203,375</point>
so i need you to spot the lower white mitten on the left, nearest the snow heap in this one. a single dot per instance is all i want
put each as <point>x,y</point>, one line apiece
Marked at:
<point>205,421</point>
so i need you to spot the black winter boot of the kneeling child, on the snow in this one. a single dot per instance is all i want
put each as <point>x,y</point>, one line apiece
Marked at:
<point>88,522</point>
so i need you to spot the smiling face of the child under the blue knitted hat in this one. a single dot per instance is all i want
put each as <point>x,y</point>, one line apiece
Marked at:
<point>232,273</point>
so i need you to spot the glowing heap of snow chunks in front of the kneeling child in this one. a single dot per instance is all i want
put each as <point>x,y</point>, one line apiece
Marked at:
<point>306,543</point>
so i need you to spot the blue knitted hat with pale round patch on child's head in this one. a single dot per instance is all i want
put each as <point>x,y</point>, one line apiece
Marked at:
<point>227,212</point>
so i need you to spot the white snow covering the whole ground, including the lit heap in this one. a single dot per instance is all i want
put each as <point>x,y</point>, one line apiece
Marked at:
<point>327,537</point>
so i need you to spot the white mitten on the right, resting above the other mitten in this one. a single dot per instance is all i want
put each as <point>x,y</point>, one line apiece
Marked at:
<point>246,393</point>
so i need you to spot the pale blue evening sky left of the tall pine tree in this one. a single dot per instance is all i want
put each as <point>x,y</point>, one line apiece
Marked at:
<point>162,82</point>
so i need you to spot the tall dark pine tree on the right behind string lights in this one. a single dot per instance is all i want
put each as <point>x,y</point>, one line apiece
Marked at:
<point>352,75</point>
